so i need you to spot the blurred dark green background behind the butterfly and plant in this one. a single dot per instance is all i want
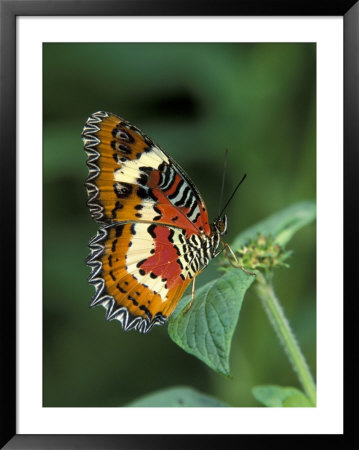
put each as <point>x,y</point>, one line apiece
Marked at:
<point>195,100</point>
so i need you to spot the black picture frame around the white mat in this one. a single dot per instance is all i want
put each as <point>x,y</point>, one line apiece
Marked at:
<point>10,9</point>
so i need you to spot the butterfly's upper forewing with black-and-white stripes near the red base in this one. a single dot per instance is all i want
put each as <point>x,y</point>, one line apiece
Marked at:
<point>131,178</point>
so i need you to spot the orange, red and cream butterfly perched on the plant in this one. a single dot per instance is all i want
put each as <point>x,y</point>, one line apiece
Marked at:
<point>155,236</point>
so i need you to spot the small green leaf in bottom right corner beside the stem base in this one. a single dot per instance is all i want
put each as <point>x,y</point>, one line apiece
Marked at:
<point>275,396</point>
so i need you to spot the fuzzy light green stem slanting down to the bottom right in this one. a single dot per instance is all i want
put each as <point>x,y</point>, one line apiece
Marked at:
<point>276,315</point>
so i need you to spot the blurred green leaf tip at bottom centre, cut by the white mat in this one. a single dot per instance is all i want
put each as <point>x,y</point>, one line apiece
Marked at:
<point>177,397</point>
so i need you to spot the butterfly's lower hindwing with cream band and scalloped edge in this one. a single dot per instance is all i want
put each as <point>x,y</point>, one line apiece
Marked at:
<point>140,272</point>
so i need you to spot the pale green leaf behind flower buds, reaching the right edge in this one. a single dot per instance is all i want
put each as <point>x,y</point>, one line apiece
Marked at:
<point>281,225</point>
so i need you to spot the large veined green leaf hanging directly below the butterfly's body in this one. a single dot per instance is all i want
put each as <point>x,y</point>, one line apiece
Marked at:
<point>206,330</point>
